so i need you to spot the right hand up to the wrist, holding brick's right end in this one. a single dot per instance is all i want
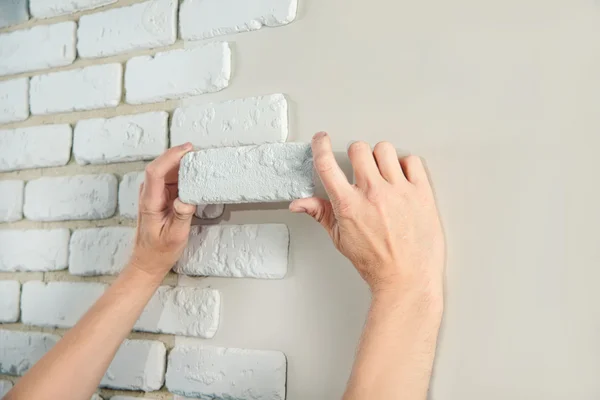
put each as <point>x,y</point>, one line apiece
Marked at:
<point>386,224</point>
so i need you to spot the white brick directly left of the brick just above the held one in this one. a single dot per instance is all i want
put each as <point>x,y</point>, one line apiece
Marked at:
<point>120,139</point>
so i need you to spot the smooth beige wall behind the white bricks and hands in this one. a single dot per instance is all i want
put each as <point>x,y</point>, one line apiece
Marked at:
<point>501,98</point>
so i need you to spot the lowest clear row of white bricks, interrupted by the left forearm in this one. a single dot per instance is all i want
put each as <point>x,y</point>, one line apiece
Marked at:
<point>191,368</point>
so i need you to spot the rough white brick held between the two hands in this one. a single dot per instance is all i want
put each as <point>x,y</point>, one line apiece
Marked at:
<point>265,173</point>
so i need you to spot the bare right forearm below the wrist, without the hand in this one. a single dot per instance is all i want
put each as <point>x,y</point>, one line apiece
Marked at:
<point>397,349</point>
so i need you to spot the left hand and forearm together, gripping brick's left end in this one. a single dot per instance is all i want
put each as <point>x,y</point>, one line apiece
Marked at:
<point>73,368</point>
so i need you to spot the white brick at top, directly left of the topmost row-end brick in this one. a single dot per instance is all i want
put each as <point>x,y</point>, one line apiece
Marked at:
<point>145,25</point>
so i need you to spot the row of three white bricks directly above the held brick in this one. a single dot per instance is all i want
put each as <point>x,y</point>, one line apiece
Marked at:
<point>253,120</point>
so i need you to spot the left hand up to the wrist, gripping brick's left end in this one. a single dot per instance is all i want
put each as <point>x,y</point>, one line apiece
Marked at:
<point>163,220</point>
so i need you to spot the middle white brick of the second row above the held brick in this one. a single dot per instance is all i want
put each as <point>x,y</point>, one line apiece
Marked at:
<point>88,88</point>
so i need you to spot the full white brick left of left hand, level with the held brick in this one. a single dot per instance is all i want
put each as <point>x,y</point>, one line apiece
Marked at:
<point>71,198</point>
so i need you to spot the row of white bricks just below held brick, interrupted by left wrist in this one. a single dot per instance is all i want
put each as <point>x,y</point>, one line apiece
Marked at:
<point>240,251</point>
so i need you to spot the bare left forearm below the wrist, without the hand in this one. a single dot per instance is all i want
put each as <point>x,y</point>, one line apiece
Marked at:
<point>85,351</point>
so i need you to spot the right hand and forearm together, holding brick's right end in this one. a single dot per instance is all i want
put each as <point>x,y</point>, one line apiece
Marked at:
<point>388,226</point>
